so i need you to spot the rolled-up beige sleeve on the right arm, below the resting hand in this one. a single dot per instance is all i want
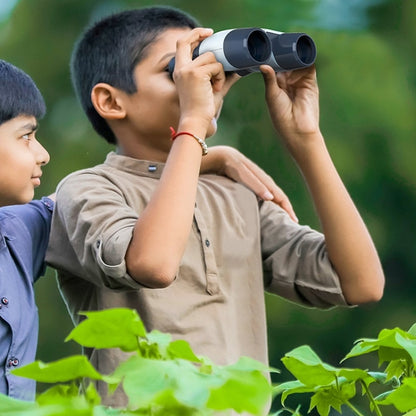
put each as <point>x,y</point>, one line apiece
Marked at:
<point>295,261</point>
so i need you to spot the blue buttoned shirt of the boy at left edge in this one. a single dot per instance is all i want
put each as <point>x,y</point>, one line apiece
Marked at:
<point>24,234</point>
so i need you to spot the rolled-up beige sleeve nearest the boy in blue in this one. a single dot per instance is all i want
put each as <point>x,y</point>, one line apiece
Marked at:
<point>90,233</point>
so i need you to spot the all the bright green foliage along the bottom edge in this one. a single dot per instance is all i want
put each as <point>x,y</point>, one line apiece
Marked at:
<point>163,377</point>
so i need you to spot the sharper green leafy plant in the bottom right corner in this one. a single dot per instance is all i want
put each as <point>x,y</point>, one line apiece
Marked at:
<point>332,387</point>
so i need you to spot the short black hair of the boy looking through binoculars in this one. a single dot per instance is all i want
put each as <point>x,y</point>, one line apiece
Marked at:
<point>110,49</point>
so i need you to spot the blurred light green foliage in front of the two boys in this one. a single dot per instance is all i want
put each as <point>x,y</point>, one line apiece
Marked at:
<point>161,376</point>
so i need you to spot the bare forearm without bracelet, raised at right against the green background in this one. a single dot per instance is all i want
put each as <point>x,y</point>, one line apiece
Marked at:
<point>349,244</point>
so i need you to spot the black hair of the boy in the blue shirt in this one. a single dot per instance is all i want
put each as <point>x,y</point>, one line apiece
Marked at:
<point>19,95</point>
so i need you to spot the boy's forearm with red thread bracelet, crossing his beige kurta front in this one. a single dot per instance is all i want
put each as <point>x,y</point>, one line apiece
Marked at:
<point>162,230</point>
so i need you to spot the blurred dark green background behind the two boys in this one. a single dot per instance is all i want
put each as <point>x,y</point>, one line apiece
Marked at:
<point>367,75</point>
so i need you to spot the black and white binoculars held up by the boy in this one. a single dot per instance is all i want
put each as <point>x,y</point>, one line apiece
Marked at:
<point>244,50</point>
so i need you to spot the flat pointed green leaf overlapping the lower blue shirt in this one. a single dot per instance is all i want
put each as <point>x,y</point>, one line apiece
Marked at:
<point>66,369</point>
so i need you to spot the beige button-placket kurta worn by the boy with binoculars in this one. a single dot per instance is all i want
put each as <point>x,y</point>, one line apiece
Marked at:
<point>237,248</point>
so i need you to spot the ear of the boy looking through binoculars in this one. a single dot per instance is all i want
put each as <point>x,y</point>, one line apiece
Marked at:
<point>108,101</point>
